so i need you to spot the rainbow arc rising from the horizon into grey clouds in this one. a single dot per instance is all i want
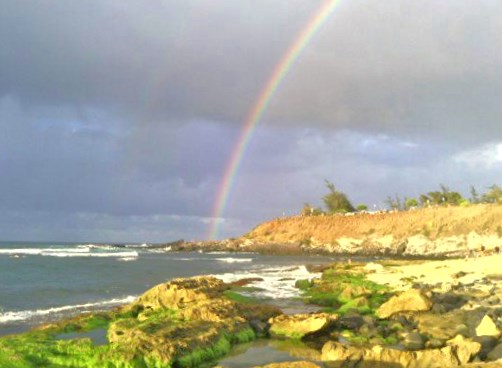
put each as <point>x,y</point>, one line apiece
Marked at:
<point>267,93</point>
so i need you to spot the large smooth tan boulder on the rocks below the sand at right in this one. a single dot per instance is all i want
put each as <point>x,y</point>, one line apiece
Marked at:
<point>412,300</point>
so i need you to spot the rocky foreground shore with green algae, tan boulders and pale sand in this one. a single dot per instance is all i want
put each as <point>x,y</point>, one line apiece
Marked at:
<point>391,313</point>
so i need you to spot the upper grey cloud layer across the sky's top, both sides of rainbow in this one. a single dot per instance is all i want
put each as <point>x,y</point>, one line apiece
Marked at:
<point>398,66</point>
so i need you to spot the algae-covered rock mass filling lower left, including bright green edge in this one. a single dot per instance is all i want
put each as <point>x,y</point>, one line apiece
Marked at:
<point>181,323</point>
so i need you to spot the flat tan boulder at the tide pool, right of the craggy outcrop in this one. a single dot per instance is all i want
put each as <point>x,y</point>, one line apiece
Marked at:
<point>298,325</point>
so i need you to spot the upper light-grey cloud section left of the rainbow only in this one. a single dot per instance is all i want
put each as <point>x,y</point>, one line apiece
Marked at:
<point>147,60</point>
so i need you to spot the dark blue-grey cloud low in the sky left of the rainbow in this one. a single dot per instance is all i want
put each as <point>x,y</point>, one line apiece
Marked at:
<point>70,167</point>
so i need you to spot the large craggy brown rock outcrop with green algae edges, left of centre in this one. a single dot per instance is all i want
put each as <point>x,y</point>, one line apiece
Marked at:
<point>173,319</point>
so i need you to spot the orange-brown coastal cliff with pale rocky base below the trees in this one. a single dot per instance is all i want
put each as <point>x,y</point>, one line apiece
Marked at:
<point>429,232</point>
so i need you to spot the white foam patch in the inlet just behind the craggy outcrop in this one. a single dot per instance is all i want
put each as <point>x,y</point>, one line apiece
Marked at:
<point>277,283</point>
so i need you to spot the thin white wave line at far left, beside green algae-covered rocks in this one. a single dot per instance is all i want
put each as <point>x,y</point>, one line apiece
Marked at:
<point>29,314</point>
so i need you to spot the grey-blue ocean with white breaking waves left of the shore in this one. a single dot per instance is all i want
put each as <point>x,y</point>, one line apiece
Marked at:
<point>43,282</point>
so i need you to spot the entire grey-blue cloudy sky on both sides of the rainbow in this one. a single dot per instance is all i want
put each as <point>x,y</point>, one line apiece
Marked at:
<point>118,118</point>
